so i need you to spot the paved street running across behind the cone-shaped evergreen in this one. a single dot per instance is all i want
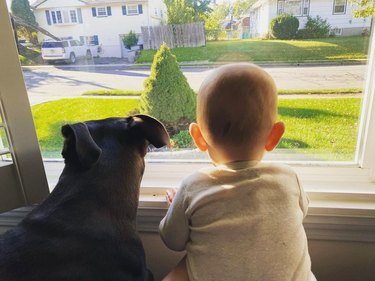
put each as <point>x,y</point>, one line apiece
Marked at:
<point>54,82</point>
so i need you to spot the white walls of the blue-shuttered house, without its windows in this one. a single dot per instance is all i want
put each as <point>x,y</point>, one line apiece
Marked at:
<point>108,29</point>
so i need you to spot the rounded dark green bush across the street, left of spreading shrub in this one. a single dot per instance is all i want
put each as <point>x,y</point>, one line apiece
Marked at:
<point>284,26</point>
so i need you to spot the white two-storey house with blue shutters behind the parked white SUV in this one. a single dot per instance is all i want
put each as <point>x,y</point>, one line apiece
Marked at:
<point>98,22</point>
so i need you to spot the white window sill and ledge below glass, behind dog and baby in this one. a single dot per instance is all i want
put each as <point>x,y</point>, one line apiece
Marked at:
<point>342,199</point>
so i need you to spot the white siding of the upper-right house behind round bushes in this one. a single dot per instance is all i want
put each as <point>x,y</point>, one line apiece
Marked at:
<point>263,11</point>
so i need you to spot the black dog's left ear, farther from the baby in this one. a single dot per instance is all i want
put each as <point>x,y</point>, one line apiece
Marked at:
<point>80,144</point>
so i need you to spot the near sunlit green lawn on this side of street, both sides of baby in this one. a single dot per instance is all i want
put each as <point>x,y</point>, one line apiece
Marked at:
<point>324,128</point>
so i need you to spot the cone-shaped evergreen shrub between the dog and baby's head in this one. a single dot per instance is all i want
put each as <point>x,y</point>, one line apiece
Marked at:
<point>167,95</point>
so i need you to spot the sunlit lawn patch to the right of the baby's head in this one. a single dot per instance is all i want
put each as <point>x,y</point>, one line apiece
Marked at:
<point>324,127</point>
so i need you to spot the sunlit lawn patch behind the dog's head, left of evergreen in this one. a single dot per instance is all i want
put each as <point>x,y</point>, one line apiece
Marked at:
<point>50,116</point>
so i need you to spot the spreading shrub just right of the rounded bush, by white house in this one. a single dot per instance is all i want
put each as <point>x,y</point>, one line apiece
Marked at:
<point>315,28</point>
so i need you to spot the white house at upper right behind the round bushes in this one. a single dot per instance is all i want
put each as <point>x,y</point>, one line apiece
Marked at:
<point>339,14</point>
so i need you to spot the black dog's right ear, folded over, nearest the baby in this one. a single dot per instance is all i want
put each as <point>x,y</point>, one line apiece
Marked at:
<point>151,129</point>
